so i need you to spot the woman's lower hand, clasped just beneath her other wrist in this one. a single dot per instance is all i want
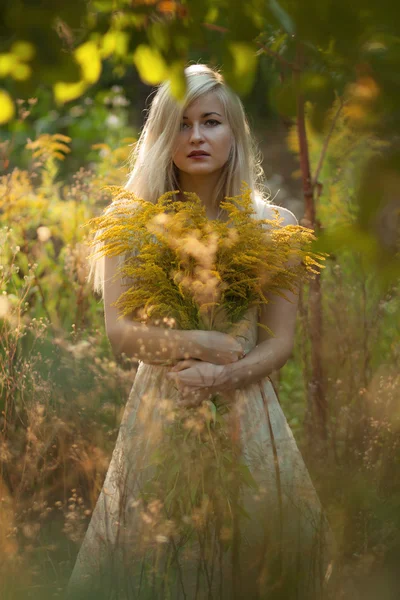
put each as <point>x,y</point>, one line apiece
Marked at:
<point>197,380</point>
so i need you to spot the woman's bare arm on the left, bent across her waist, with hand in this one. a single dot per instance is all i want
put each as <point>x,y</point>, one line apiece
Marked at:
<point>156,345</point>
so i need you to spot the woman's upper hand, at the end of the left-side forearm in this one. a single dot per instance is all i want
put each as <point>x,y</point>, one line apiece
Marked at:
<point>216,347</point>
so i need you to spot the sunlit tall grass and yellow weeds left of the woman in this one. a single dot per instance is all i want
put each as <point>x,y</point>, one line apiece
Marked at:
<point>61,391</point>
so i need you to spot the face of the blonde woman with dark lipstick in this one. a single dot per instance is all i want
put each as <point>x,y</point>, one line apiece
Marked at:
<point>205,137</point>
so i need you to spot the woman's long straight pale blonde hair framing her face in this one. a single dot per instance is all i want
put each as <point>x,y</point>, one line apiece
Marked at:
<point>153,172</point>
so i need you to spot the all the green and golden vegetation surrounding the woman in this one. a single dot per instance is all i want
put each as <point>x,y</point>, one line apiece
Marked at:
<point>74,85</point>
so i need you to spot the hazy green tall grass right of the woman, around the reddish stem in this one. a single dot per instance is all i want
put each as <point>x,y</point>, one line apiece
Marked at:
<point>357,473</point>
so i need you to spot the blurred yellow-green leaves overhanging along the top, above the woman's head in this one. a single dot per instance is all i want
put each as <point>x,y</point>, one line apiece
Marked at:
<point>67,46</point>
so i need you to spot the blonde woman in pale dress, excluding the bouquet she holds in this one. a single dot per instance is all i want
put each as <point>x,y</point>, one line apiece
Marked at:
<point>281,549</point>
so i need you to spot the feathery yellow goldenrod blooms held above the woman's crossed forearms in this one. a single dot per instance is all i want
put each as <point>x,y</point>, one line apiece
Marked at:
<point>202,274</point>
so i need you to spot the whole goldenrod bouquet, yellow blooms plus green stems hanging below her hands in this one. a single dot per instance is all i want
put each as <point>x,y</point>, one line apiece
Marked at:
<point>201,274</point>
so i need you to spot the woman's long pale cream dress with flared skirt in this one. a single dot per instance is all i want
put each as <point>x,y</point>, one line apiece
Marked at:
<point>280,546</point>
